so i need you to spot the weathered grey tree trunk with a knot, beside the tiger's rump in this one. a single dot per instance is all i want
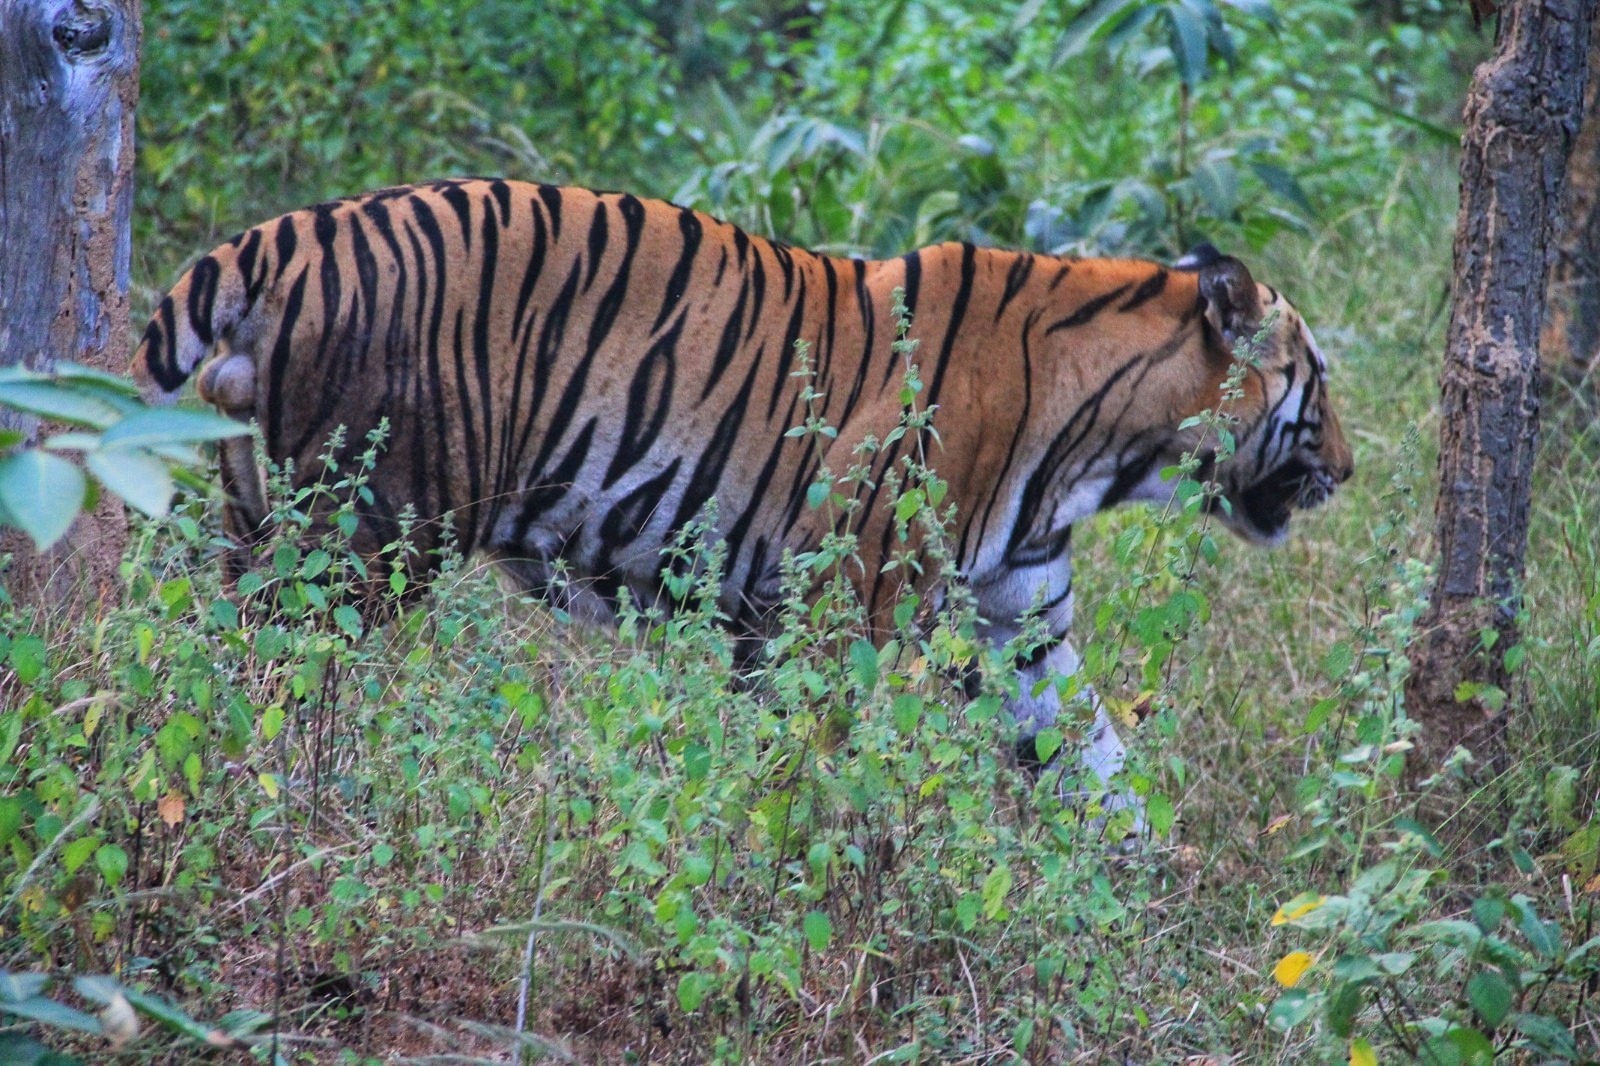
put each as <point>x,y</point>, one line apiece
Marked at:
<point>70,79</point>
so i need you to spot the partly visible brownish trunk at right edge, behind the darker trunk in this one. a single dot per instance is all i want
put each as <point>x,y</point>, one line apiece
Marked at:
<point>1572,329</point>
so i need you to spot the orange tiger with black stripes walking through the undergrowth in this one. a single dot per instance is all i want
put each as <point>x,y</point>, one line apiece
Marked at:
<point>574,377</point>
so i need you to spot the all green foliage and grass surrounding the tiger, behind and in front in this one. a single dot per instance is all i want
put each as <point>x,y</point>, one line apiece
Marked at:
<point>394,833</point>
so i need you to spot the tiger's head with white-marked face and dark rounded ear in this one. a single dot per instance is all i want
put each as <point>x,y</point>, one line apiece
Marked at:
<point>1290,451</point>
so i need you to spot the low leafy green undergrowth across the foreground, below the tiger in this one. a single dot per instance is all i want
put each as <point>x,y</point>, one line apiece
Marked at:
<point>463,827</point>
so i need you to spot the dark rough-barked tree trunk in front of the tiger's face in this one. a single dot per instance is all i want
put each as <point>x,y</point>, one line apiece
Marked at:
<point>1522,116</point>
